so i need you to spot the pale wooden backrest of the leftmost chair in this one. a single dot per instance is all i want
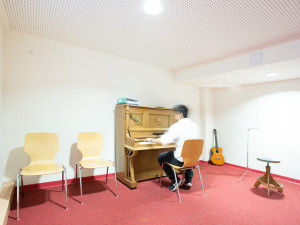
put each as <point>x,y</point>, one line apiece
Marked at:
<point>41,147</point>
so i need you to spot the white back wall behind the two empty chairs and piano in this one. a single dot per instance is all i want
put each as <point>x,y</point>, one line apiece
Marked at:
<point>54,87</point>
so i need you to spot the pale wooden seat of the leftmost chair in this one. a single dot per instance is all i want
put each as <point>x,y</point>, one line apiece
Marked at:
<point>41,169</point>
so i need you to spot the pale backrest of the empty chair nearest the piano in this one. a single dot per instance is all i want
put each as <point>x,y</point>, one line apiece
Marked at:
<point>90,144</point>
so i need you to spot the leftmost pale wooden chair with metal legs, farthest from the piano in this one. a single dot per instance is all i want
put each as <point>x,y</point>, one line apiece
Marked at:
<point>41,147</point>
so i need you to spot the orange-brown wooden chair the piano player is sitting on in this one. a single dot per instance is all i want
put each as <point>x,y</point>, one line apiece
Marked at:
<point>191,152</point>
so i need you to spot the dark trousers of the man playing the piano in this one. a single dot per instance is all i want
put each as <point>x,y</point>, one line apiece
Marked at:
<point>169,157</point>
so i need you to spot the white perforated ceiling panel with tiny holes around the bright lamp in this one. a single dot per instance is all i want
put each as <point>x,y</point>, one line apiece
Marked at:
<point>186,33</point>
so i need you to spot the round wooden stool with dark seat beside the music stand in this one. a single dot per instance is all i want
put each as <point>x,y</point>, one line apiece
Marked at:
<point>267,179</point>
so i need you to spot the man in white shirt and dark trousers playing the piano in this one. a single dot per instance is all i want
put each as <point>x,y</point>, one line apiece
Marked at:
<point>178,133</point>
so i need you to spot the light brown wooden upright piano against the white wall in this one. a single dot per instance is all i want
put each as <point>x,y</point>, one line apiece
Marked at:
<point>136,161</point>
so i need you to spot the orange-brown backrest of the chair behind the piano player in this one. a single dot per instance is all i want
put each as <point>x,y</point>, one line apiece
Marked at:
<point>191,152</point>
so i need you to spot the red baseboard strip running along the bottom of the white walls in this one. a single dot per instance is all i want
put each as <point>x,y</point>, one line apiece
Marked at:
<point>111,175</point>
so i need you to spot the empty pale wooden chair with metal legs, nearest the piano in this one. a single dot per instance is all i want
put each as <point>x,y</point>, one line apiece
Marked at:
<point>91,144</point>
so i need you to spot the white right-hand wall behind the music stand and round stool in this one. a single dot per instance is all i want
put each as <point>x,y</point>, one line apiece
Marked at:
<point>275,109</point>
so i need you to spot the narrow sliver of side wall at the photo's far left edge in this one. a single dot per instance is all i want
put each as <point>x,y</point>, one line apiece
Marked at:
<point>1,75</point>
